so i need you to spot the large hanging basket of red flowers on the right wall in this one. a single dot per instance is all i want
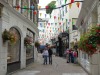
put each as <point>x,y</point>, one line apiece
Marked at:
<point>89,41</point>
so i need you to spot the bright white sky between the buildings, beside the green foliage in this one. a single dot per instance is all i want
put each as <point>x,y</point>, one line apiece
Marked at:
<point>43,3</point>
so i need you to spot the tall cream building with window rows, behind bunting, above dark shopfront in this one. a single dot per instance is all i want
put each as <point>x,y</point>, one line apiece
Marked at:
<point>68,17</point>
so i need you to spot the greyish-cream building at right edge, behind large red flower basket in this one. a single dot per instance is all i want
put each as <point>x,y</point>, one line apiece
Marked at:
<point>89,15</point>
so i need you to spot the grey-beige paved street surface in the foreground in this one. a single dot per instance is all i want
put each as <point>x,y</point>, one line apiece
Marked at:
<point>59,67</point>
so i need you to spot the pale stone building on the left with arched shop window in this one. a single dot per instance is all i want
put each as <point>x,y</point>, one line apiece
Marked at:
<point>20,22</point>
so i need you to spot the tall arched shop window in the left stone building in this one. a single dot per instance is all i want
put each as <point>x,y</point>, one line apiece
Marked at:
<point>13,56</point>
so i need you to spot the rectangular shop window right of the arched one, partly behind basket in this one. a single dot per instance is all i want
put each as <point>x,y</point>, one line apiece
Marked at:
<point>30,49</point>
